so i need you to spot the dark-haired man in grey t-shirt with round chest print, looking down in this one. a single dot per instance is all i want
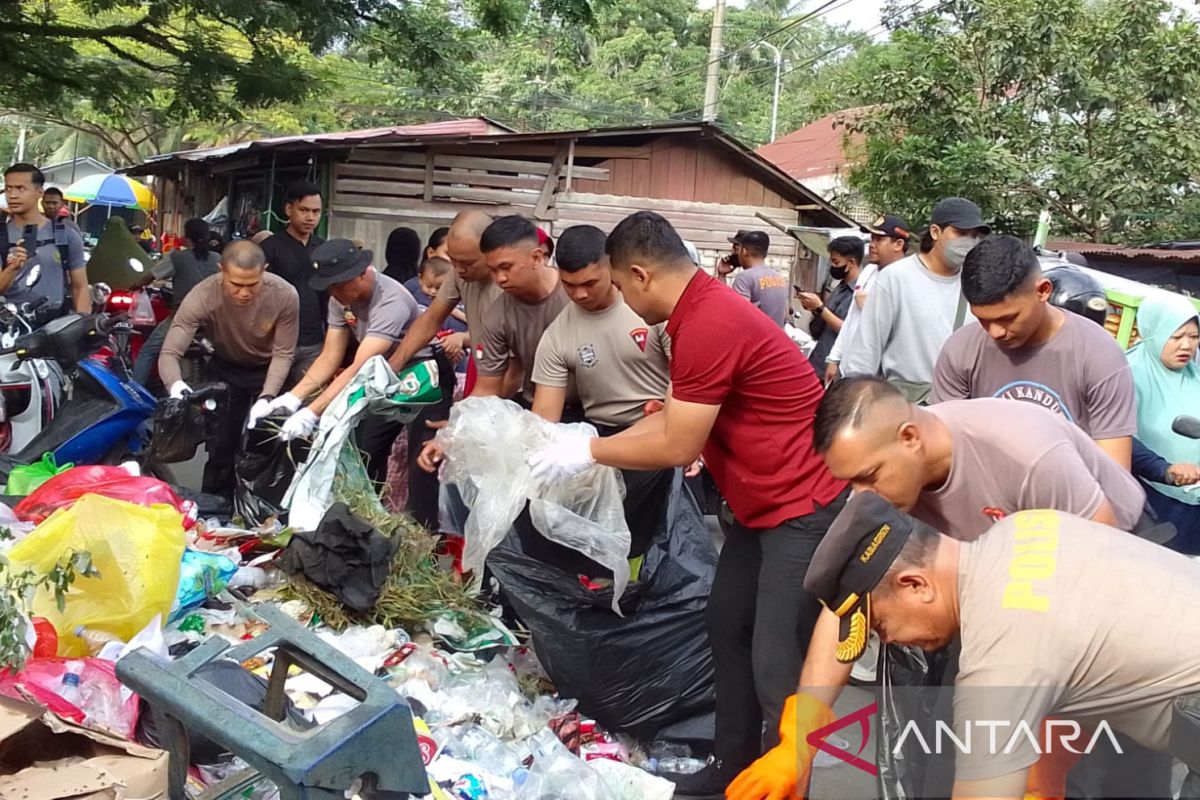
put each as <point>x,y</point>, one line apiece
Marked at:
<point>1028,351</point>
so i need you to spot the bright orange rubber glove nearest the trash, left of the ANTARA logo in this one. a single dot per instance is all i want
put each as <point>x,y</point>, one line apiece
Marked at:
<point>783,773</point>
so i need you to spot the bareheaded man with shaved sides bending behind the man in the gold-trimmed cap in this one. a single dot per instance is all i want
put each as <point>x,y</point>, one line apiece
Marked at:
<point>959,467</point>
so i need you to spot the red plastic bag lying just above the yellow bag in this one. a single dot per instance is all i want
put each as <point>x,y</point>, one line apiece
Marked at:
<point>116,483</point>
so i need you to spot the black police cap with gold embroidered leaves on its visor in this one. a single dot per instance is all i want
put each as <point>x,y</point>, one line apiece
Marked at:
<point>861,546</point>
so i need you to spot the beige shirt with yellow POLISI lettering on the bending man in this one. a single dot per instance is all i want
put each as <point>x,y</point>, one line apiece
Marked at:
<point>1067,618</point>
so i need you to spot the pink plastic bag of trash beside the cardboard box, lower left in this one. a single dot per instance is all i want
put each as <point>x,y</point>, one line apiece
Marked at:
<point>97,701</point>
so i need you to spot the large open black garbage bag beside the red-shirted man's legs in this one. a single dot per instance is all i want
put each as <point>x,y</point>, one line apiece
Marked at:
<point>637,673</point>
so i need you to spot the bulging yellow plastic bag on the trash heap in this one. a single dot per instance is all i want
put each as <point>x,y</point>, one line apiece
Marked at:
<point>137,551</point>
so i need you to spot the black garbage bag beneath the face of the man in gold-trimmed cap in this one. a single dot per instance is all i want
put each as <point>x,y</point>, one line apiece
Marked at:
<point>915,687</point>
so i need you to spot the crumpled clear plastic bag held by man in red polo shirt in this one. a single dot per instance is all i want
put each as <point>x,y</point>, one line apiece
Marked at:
<point>487,444</point>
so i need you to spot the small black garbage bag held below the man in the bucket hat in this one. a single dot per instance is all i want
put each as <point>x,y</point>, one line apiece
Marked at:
<point>263,472</point>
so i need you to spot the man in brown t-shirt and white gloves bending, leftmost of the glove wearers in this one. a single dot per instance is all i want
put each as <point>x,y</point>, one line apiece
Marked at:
<point>253,318</point>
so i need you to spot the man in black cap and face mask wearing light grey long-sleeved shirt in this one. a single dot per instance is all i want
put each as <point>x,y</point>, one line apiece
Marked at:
<point>917,304</point>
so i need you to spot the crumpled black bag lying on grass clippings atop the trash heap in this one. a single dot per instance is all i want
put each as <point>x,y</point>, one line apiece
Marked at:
<point>345,556</point>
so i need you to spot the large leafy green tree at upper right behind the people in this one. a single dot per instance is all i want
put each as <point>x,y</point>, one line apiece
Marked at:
<point>1088,109</point>
